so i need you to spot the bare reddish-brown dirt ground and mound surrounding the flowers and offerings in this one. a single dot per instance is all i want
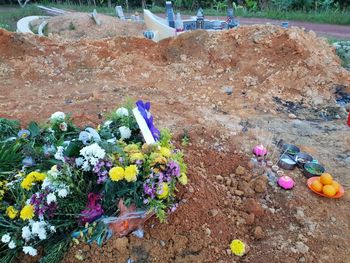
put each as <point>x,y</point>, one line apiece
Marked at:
<point>273,73</point>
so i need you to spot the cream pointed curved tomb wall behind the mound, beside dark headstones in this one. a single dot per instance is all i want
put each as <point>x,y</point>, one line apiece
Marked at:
<point>158,25</point>
